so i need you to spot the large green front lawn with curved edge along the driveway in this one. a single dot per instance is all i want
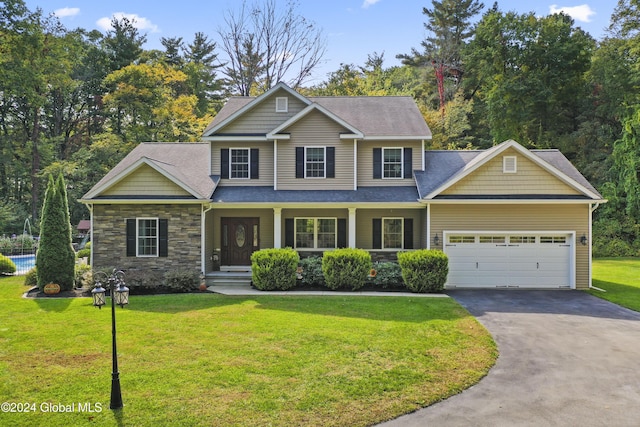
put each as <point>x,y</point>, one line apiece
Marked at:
<point>206,359</point>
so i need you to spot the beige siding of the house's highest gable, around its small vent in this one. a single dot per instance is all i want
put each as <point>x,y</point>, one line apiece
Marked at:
<point>263,117</point>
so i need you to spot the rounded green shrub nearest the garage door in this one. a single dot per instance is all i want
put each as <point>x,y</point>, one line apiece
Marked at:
<point>424,270</point>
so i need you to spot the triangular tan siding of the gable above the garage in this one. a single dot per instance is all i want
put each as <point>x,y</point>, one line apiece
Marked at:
<point>529,179</point>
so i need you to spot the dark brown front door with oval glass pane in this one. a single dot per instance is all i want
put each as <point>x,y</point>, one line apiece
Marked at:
<point>239,239</point>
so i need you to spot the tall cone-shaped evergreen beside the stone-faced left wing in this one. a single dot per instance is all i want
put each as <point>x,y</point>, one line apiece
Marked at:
<point>55,260</point>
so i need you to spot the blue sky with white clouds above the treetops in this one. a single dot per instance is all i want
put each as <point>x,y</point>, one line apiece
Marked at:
<point>353,28</point>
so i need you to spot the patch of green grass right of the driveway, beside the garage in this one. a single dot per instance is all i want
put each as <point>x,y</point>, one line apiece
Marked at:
<point>620,278</point>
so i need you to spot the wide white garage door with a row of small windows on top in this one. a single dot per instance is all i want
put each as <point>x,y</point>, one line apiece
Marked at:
<point>523,260</point>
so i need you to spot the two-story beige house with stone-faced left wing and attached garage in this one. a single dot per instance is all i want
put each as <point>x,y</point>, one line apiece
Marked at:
<point>319,173</point>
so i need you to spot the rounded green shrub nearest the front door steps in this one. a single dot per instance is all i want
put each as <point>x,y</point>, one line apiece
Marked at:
<point>274,269</point>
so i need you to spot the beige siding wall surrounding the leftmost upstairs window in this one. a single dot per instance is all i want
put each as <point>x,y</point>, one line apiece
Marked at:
<point>265,166</point>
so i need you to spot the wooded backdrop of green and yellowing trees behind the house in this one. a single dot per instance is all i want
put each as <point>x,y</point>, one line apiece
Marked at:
<point>76,102</point>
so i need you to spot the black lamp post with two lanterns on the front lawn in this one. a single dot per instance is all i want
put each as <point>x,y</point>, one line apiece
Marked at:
<point>120,296</point>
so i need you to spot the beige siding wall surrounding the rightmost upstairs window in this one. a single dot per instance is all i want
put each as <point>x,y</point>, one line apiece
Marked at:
<point>365,162</point>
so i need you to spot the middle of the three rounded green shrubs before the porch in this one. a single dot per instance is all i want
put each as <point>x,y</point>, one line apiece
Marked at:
<point>346,268</point>
